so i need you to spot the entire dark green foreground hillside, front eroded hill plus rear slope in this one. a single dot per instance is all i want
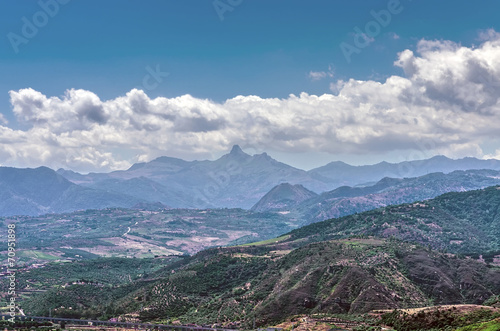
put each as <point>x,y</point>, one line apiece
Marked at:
<point>405,256</point>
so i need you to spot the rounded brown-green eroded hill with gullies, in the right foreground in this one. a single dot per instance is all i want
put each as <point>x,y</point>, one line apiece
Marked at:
<point>358,277</point>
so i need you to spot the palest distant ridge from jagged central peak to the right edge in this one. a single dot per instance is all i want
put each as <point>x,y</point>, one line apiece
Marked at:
<point>240,180</point>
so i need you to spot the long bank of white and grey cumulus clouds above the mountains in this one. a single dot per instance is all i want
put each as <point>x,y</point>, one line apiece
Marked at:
<point>446,102</point>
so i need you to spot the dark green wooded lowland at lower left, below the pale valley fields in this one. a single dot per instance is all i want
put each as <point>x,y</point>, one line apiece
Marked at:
<point>102,278</point>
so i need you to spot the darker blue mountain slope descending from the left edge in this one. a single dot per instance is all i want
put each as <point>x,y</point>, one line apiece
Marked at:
<point>42,190</point>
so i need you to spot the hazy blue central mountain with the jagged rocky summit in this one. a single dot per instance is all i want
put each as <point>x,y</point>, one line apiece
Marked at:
<point>235,180</point>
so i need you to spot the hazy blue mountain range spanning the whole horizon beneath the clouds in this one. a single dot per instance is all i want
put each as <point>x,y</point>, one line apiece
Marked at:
<point>235,180</point>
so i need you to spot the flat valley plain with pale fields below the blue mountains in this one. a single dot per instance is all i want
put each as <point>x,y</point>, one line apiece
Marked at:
<point>117,232</point>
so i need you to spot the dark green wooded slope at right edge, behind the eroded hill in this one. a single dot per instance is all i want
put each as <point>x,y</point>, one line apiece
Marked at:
<point>465,222</point>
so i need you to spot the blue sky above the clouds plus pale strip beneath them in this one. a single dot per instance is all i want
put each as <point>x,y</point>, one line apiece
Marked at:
<point>269,49</point>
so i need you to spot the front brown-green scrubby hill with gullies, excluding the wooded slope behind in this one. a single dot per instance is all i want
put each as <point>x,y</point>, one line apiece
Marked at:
<point>269,283</point>
